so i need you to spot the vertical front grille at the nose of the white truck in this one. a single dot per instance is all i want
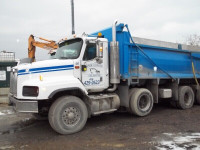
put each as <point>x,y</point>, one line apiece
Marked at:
<point>13,83</point>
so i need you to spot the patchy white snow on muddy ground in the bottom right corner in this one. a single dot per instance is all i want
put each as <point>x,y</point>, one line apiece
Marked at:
<point>180,141</point>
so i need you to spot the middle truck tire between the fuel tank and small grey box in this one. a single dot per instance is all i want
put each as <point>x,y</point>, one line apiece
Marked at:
<point>141,102</point>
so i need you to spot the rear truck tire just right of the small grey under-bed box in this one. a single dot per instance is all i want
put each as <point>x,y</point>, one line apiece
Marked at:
<point>186,97</point>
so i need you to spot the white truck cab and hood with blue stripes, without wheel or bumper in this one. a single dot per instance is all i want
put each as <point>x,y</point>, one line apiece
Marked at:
<point>80,62</point>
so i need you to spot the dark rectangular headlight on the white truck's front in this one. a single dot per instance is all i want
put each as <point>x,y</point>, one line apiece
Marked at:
<point>31,91</point>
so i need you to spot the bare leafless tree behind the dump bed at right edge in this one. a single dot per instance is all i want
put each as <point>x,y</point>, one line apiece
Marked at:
<point>193,39</point>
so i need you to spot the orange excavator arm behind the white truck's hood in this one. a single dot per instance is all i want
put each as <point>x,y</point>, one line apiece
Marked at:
<point>32,44</point>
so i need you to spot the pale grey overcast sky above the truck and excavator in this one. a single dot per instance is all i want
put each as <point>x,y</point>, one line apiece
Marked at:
<point>168,20</point>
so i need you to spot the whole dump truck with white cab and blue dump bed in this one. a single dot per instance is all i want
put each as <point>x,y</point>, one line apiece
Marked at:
<point>103,72</point>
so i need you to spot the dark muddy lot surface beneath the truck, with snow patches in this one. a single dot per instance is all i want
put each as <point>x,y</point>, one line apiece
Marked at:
<point>164,128</point>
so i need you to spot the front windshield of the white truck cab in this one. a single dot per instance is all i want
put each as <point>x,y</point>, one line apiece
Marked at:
<point>69,49</point>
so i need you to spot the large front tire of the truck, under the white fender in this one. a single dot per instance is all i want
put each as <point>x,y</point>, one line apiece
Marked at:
<point>68,114</point>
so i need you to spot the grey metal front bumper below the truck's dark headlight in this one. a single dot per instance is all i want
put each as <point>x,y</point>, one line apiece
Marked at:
<point>24,106</point>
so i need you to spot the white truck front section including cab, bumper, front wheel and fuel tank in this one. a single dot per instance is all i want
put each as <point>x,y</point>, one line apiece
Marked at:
<point>66,87</point>
